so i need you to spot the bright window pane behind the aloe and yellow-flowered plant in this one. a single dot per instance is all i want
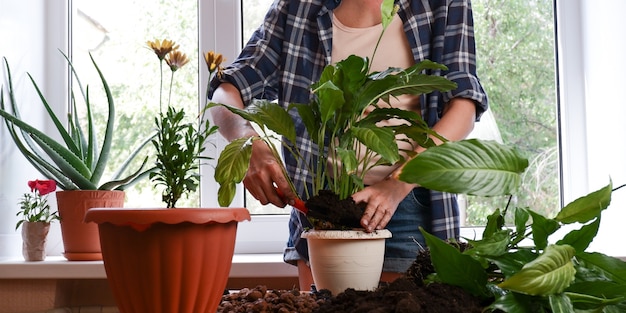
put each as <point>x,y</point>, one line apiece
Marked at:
<point>115,33</point>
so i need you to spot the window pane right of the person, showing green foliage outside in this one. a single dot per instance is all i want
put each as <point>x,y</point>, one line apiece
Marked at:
<point>516,63</point>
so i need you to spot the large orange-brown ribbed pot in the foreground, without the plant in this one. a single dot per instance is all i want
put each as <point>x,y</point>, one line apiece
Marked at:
<point>167,260</point>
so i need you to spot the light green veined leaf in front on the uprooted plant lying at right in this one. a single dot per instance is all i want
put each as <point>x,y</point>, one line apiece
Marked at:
<point>548,274</point>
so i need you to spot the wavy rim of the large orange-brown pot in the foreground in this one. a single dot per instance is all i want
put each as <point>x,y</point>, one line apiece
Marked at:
<point>148,216</point>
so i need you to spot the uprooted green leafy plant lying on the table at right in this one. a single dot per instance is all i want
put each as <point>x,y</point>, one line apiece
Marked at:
<point>516,268</point>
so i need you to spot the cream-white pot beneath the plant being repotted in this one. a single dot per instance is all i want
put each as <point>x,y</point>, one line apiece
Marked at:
<point>342,259</point>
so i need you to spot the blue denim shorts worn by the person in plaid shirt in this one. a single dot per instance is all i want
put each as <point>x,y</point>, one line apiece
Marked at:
<point>400,250</point>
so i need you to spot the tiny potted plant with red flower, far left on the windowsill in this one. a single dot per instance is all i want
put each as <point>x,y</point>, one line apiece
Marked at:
<point>35,219</point>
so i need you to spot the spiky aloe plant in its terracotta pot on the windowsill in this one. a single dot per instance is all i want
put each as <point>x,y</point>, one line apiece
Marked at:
<point>77,162</point>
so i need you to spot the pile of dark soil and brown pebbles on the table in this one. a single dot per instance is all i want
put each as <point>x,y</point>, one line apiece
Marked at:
<point>407,294</point>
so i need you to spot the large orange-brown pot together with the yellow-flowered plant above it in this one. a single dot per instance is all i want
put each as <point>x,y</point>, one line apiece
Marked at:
<point>182,253</point>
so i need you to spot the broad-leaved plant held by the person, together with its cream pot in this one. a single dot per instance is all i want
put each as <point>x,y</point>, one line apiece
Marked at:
<point>336,123</point>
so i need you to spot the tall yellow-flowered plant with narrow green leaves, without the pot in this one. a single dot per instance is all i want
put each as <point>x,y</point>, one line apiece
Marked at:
<point>179,144</point>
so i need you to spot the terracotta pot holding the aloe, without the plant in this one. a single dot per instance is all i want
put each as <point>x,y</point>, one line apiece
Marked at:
<point>80,240</point>
